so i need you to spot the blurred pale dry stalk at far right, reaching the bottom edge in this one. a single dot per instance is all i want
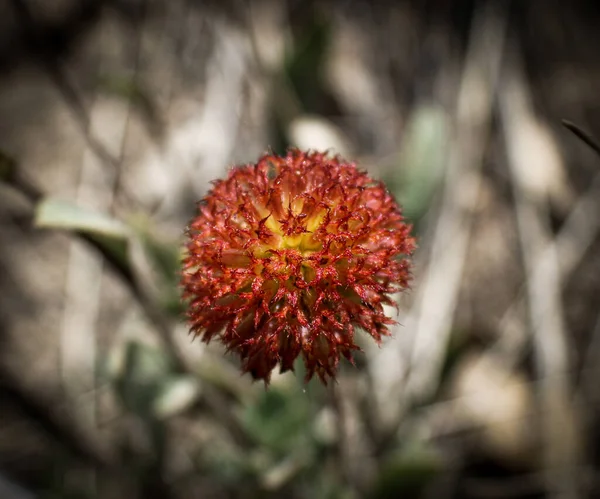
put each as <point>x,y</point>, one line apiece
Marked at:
<point>559,423</point>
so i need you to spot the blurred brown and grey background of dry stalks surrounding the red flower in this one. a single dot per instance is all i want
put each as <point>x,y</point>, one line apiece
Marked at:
<point>115,115</point>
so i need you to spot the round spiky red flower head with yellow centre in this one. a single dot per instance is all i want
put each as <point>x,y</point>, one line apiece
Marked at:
<point>289,256</point>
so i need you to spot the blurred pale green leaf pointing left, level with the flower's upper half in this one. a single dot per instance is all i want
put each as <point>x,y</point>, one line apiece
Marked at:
<point>109,234</point>
